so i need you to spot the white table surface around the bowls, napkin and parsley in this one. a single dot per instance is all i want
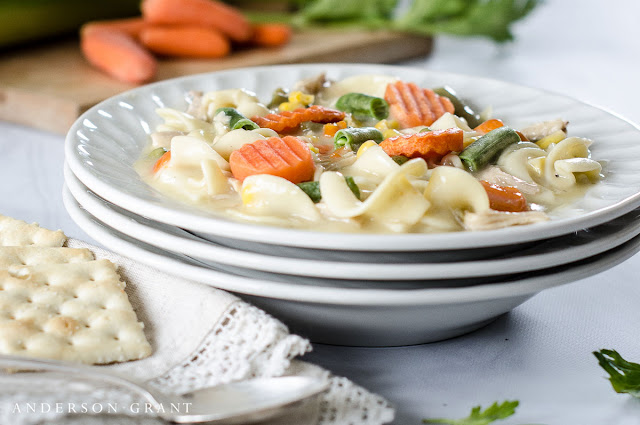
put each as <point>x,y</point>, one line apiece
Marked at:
<point>540,353</point>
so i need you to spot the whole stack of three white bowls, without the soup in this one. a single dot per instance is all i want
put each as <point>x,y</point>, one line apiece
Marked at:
<point>355,289</point>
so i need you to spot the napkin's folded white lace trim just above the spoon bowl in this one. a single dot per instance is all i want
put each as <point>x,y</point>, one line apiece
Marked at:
<point>245,343</point>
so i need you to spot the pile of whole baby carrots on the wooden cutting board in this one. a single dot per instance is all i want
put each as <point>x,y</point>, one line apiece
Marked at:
<point>124,48</point>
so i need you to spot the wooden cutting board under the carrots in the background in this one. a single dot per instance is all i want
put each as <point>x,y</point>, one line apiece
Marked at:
<point>49,87</point>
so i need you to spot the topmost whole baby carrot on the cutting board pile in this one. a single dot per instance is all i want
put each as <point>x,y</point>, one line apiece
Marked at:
<point>209,13</point>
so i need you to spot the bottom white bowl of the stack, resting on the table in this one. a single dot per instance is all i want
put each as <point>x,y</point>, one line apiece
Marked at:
<point>358,316</point>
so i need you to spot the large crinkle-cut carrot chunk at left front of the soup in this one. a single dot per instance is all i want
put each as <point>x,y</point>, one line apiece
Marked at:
<point>287,157</point>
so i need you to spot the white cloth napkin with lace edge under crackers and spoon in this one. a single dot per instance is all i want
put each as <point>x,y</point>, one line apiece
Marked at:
<point>201,336</point>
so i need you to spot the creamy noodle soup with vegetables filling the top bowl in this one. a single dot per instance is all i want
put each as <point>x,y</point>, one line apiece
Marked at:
<point>365,185</point>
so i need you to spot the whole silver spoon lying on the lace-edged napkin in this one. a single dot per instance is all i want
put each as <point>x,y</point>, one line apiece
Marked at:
<point>240,402</point>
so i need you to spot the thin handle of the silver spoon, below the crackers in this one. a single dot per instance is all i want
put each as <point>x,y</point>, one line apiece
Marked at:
<point>19,364</point>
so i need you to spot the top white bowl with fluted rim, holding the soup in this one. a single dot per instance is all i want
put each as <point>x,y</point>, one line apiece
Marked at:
<point>103,144</point>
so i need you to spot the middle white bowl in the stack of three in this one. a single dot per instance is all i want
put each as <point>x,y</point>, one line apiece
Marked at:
<point>554,252</point>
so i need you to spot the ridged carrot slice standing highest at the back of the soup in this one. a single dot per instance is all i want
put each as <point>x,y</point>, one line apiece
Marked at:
<point>413,106</point>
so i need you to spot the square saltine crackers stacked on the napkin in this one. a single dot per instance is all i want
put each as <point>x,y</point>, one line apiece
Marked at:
<point>60,303</point>
